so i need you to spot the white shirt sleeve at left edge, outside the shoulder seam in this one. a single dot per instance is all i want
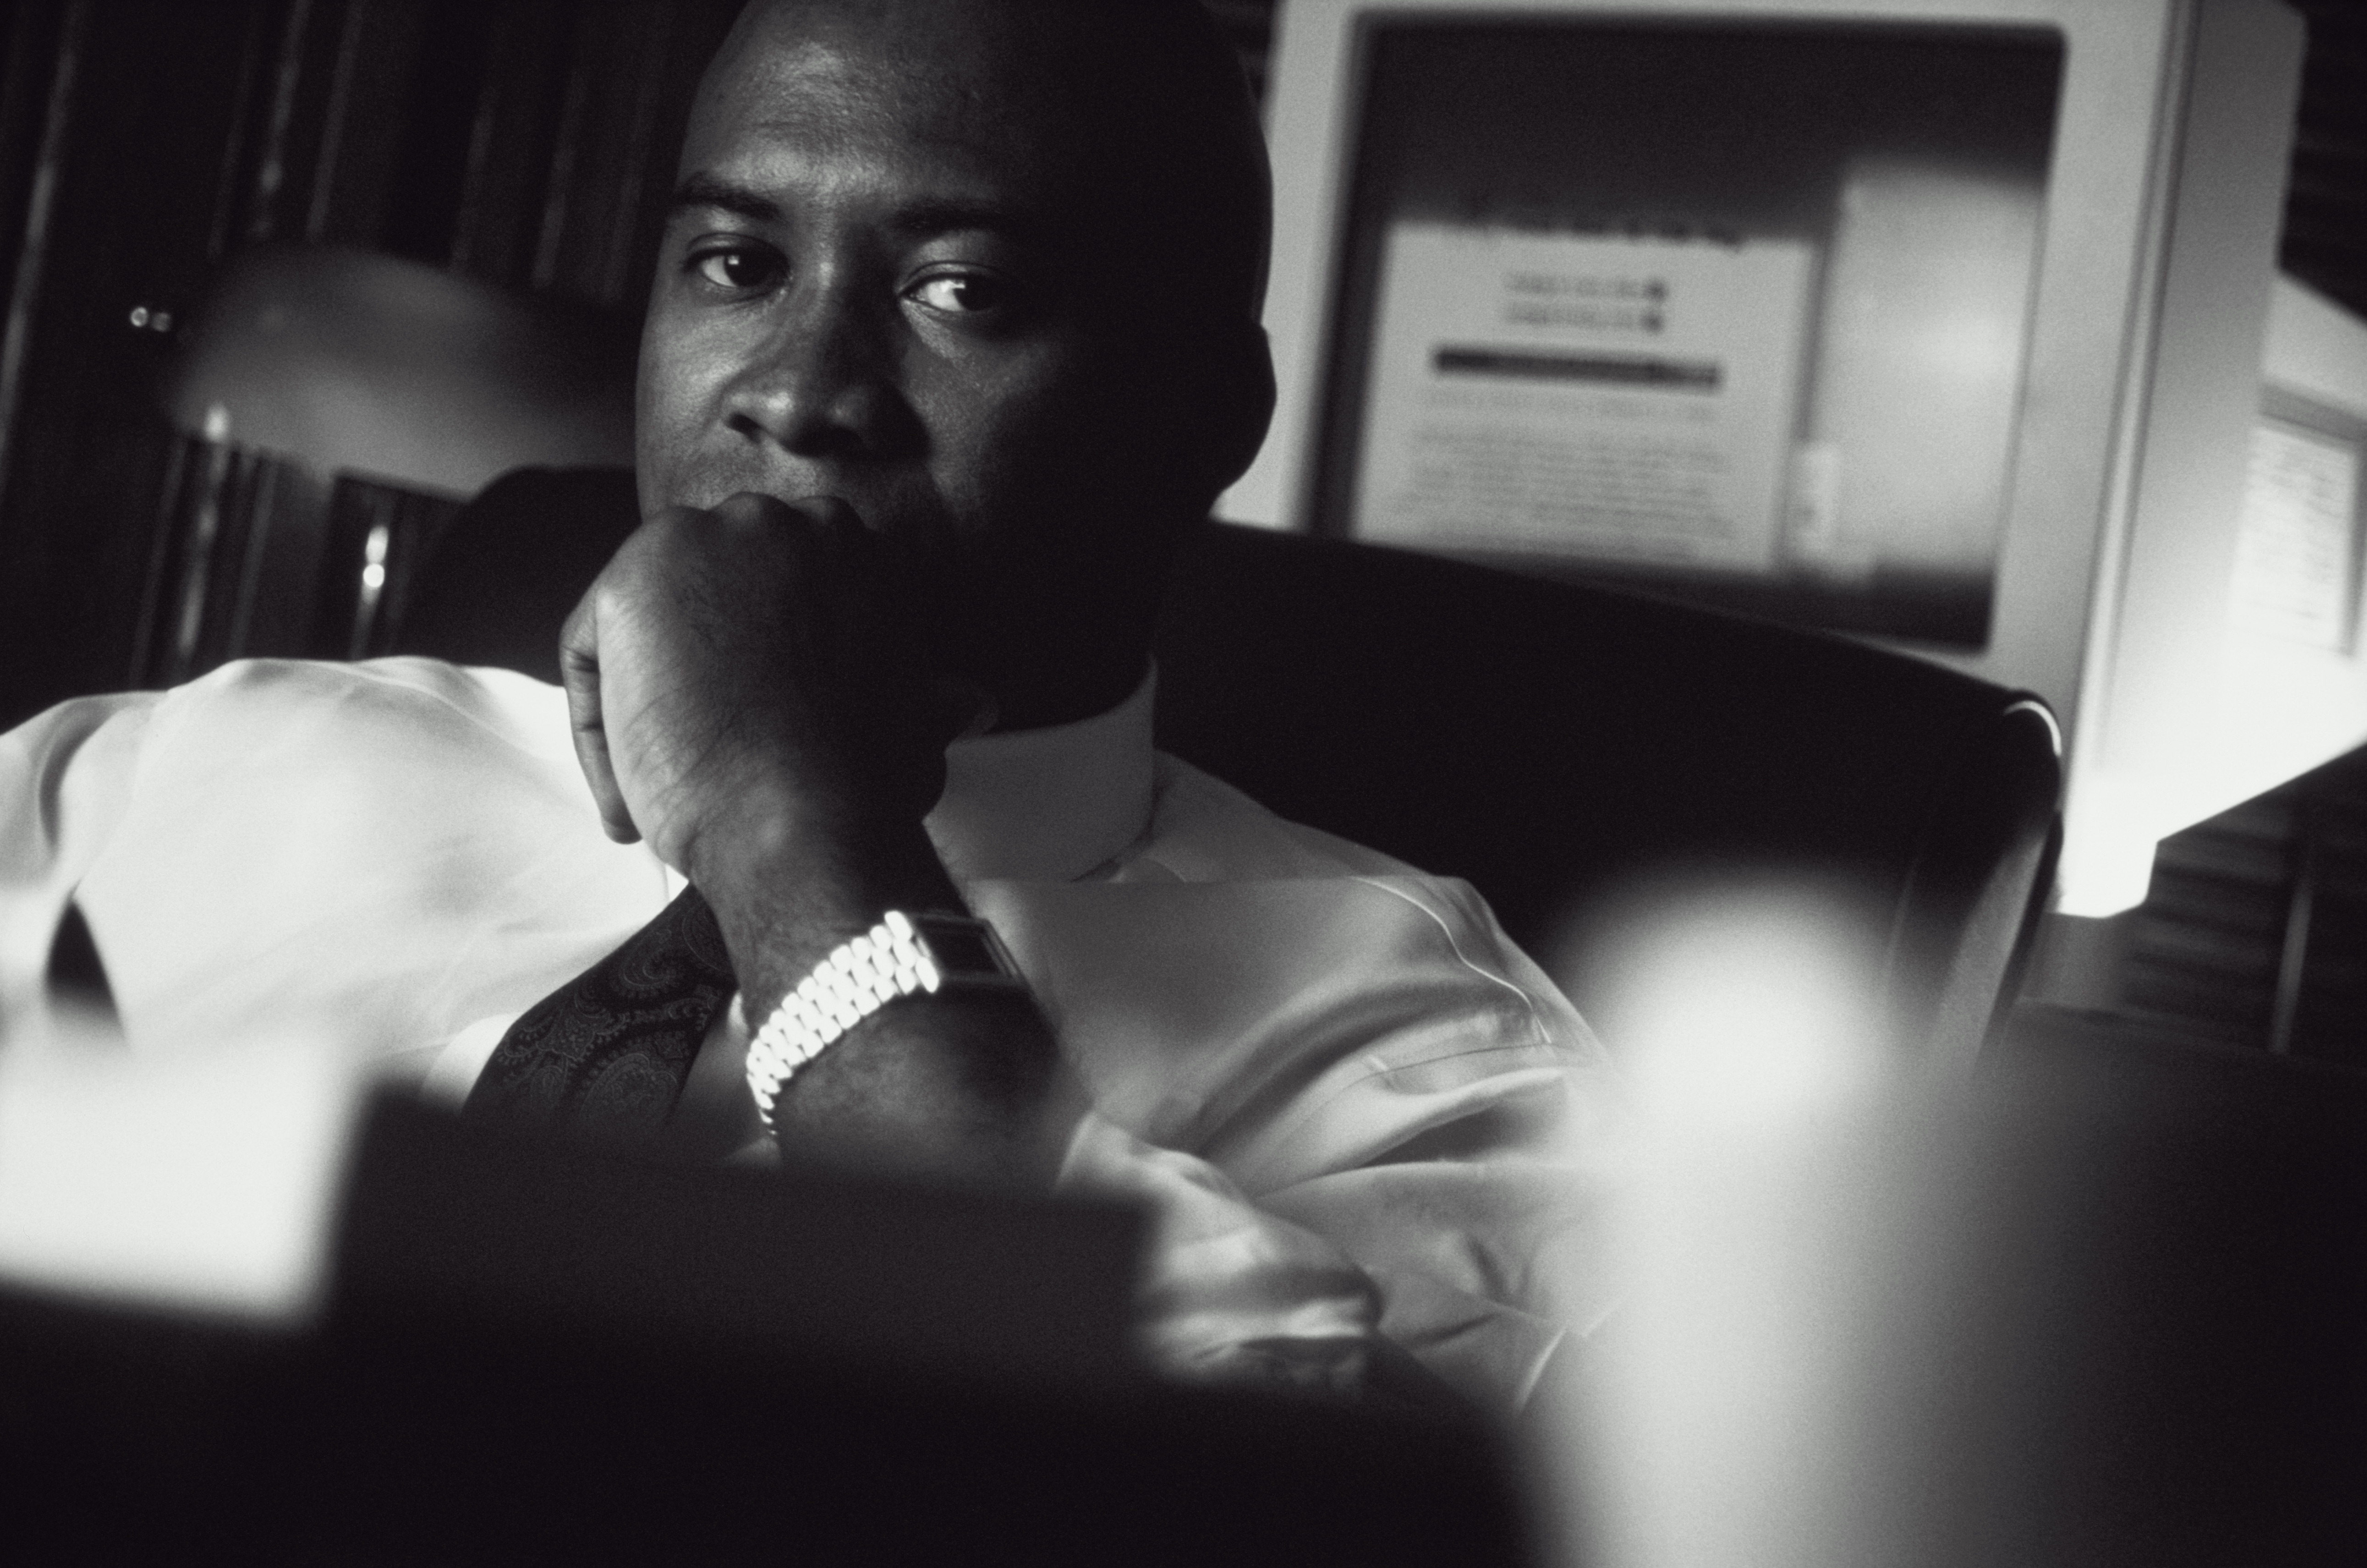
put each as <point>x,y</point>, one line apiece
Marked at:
<point>65,783</point>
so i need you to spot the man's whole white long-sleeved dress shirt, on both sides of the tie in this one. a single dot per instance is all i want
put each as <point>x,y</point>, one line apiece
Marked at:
<point>1353,1107</point>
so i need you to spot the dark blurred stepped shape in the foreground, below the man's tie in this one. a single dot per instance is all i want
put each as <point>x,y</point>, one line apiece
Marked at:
<point>536,1354</point>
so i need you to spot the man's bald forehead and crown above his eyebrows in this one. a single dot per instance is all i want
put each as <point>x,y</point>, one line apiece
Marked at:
<point>1121,129</point>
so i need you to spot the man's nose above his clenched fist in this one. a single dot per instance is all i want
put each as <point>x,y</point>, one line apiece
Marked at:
<point>825,383</point>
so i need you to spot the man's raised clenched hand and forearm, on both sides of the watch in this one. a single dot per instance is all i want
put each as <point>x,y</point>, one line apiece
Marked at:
<point>749,698</point>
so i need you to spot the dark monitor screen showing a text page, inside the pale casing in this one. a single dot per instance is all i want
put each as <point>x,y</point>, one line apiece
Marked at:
<point>1734,311</point>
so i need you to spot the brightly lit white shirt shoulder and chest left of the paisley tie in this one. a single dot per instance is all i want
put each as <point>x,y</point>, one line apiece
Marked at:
<point>361,859</point>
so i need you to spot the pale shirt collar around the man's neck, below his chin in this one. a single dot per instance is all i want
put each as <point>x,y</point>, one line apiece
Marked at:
<point>1047,804</point>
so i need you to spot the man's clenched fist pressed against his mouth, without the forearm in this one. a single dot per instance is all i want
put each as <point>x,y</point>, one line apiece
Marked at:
<point>742,662</point>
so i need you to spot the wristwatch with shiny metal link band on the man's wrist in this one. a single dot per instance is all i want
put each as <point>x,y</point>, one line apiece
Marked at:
<point>896,958</point>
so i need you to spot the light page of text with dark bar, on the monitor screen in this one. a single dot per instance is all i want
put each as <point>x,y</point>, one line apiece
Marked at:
<point>1589,397</point>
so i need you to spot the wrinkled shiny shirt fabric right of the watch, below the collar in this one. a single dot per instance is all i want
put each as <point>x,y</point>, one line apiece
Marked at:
<point>1353,1105</point>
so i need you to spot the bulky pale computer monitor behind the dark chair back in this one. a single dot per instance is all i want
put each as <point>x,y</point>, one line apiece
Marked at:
<point>1923,321</point>
